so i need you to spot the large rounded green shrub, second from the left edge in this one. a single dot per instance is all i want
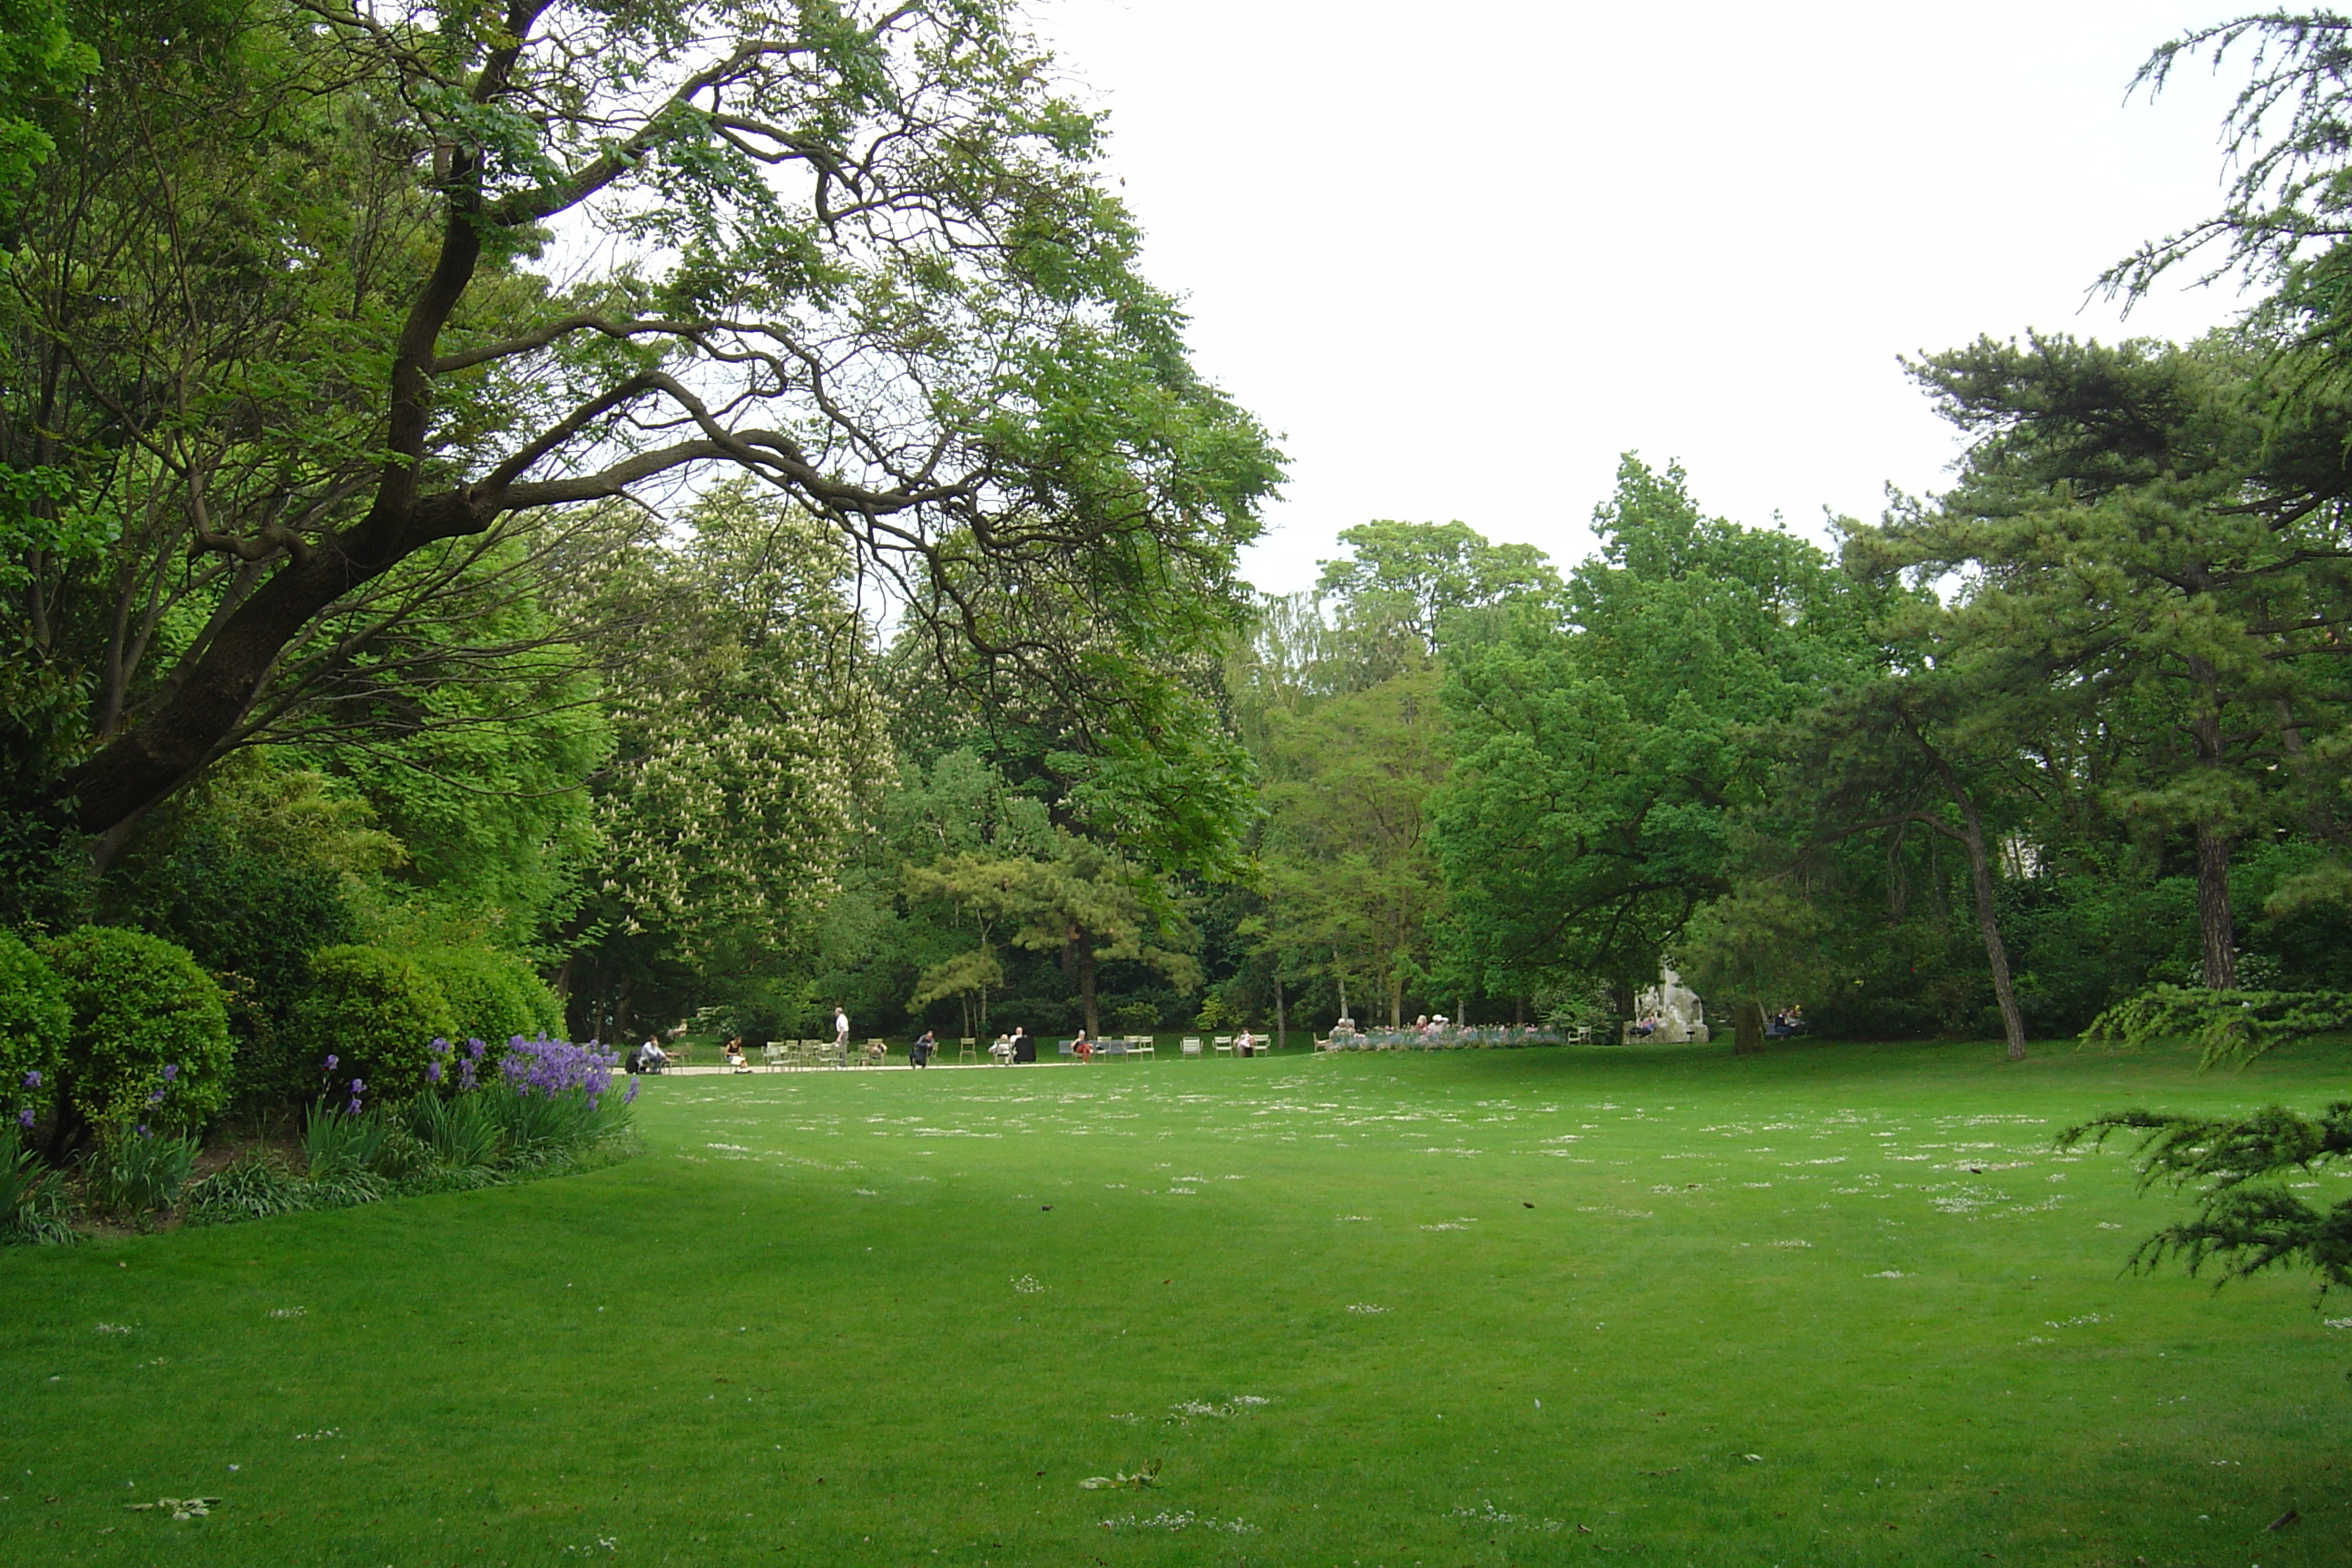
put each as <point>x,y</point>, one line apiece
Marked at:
<point>149,1036</point>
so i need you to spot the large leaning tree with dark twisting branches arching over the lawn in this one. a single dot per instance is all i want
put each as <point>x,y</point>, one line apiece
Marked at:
<point>869,264</point>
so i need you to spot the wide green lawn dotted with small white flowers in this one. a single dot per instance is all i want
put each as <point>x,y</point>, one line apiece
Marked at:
<point>1829,1306</point>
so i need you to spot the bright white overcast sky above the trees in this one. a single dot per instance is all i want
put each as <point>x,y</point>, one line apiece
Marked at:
<point>1464,257</point>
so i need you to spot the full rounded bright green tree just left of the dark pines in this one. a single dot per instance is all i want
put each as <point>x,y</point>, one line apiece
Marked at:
<point>1605,751</point>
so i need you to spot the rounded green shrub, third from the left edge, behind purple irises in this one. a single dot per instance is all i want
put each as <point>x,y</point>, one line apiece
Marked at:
<point>375,1014</point>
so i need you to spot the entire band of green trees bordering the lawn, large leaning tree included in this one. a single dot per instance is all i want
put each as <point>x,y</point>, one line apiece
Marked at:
<point>824,591</point>
